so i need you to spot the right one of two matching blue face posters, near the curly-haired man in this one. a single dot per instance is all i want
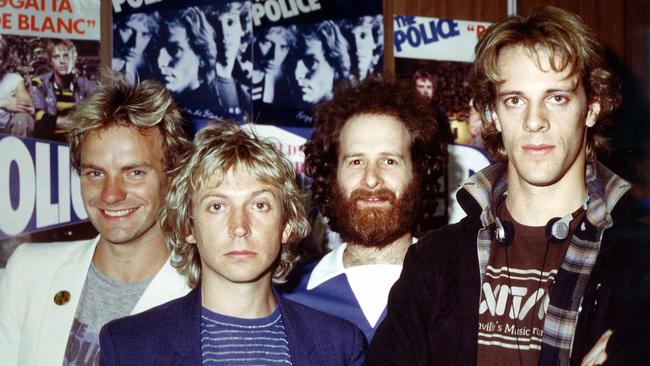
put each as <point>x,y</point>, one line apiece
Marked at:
<point>298,59</point>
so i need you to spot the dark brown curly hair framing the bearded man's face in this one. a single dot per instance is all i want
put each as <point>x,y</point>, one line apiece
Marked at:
<point>398,99</point>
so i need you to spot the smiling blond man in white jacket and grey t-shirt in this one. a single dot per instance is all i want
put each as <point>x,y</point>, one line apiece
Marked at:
<point>55,297</point>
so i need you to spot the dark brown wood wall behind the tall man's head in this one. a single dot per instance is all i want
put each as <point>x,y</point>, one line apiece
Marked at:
<point>622,26</point>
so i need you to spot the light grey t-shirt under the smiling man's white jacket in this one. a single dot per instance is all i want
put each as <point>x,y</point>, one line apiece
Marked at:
<point>102,300</point>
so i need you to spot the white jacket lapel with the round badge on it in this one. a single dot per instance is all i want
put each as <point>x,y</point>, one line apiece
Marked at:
<point>55,329</point>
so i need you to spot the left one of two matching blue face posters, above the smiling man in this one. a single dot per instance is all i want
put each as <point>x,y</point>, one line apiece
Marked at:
<point>200,51</point>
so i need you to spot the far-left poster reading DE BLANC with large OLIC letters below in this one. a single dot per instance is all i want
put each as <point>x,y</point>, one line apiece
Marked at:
<point>49,61</point>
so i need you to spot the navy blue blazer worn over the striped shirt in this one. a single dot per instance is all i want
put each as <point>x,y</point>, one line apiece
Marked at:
<point>170,334</point>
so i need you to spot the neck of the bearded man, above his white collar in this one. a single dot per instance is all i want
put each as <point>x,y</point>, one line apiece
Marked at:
<point>393,253</point>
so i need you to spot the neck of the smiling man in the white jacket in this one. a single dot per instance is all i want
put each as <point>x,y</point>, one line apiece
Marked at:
<point>132,262</point>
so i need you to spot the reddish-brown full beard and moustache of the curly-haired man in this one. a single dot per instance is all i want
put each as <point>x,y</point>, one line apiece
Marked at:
<point>375,226</point>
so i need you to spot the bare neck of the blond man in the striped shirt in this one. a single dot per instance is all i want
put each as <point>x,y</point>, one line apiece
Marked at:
<point>240,300</point>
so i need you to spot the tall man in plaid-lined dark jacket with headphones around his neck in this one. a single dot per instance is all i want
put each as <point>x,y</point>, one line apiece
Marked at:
<point>550,266</point>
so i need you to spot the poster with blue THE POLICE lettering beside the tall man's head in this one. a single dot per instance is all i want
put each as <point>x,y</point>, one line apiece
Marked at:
<point>436,55</point>
